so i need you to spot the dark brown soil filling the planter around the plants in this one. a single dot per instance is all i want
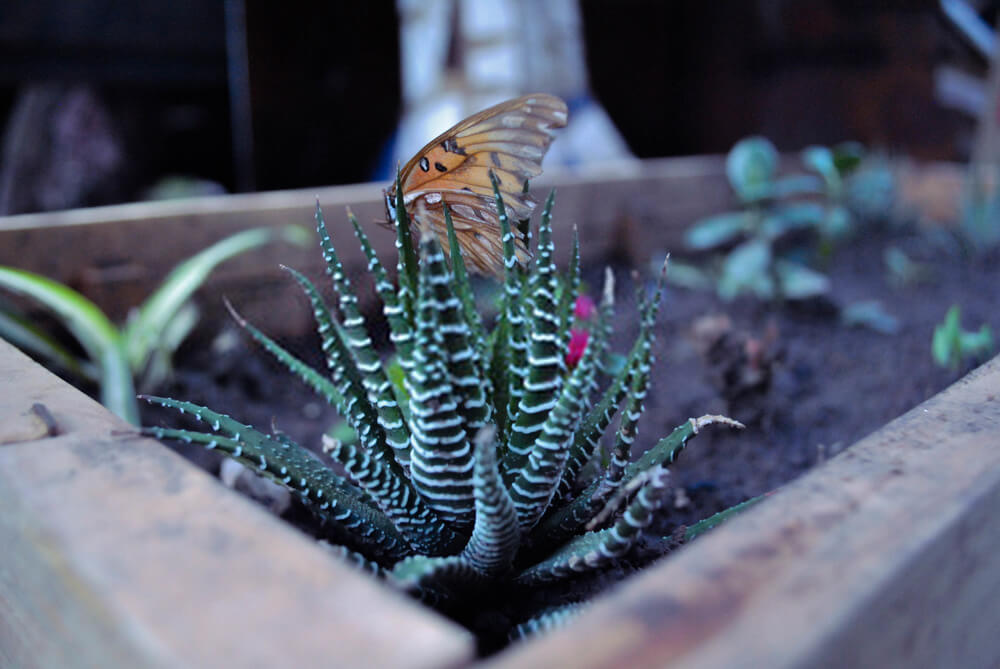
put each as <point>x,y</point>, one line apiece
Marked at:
<point>806,386</point>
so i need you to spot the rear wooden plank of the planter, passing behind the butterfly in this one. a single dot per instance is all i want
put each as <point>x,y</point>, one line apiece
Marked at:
<point>116,255</point>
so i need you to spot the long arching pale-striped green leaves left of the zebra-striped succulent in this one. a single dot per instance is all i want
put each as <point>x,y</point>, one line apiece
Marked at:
<point>140,352</point>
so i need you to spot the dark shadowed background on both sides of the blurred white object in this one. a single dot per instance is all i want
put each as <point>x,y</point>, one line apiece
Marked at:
<point>103,101</point>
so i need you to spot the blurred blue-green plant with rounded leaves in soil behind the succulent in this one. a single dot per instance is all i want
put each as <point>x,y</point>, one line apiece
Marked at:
<point>753,258</point>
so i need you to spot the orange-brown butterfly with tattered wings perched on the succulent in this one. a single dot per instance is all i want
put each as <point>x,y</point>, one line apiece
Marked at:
<point>510,139</point>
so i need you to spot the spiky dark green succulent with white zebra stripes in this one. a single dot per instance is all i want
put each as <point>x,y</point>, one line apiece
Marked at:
<point>483,466</point>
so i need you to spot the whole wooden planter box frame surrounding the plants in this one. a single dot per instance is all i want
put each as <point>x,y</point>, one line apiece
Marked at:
<point>117,552</point>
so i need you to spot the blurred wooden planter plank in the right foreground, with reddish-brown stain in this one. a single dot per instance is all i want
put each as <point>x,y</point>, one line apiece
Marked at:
<point>888,555</point>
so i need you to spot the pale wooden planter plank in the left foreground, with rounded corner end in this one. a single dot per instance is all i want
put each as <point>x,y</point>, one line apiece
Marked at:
<point>117,552</point>
